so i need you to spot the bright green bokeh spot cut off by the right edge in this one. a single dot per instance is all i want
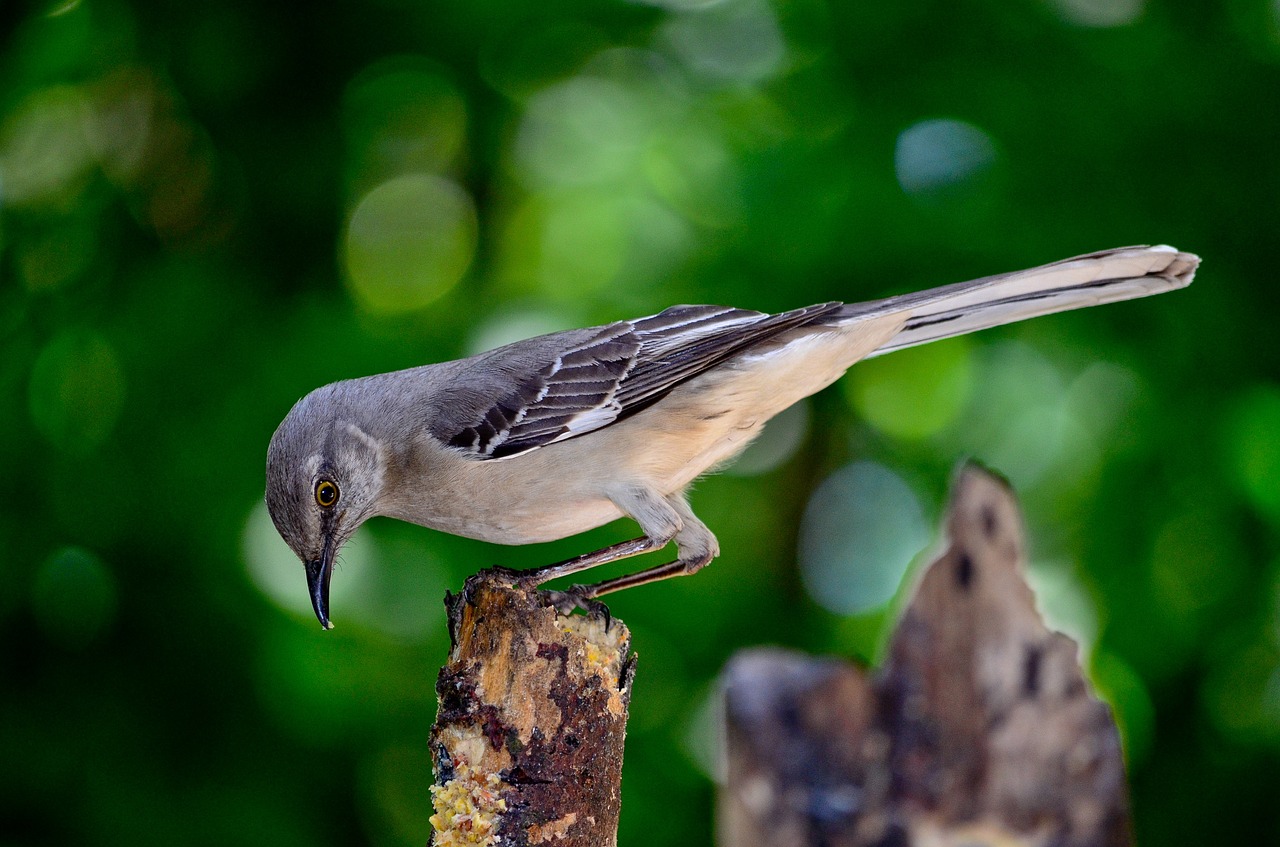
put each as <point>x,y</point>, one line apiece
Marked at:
<point>1254,448</point>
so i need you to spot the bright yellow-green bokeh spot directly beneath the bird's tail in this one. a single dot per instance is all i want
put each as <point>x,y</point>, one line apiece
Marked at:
<point>917,392</point>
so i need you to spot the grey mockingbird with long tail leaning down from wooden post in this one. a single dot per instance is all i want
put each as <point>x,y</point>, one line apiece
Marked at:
<point>556,436</point>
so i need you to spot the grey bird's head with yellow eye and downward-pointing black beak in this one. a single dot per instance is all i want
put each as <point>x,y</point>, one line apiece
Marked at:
<point>324,475</point>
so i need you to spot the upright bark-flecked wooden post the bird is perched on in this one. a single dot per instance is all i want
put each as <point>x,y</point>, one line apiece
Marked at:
<point>533,709</point>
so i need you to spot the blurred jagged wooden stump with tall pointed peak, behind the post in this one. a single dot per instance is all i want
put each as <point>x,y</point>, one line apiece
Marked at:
<point>981,729</point>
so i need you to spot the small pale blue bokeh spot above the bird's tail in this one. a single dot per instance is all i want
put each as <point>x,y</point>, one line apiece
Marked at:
<point>936,155</point>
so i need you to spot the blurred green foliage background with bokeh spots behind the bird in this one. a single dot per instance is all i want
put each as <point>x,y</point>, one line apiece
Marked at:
<point>209,209</point>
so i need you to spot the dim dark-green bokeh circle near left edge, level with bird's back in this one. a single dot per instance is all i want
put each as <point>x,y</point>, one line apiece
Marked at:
<point>77,391</point>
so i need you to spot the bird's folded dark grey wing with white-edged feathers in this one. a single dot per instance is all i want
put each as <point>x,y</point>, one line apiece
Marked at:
<point>555,391</point>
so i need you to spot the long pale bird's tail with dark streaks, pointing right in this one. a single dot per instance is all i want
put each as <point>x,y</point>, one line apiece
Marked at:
<point>1094,280</point>
